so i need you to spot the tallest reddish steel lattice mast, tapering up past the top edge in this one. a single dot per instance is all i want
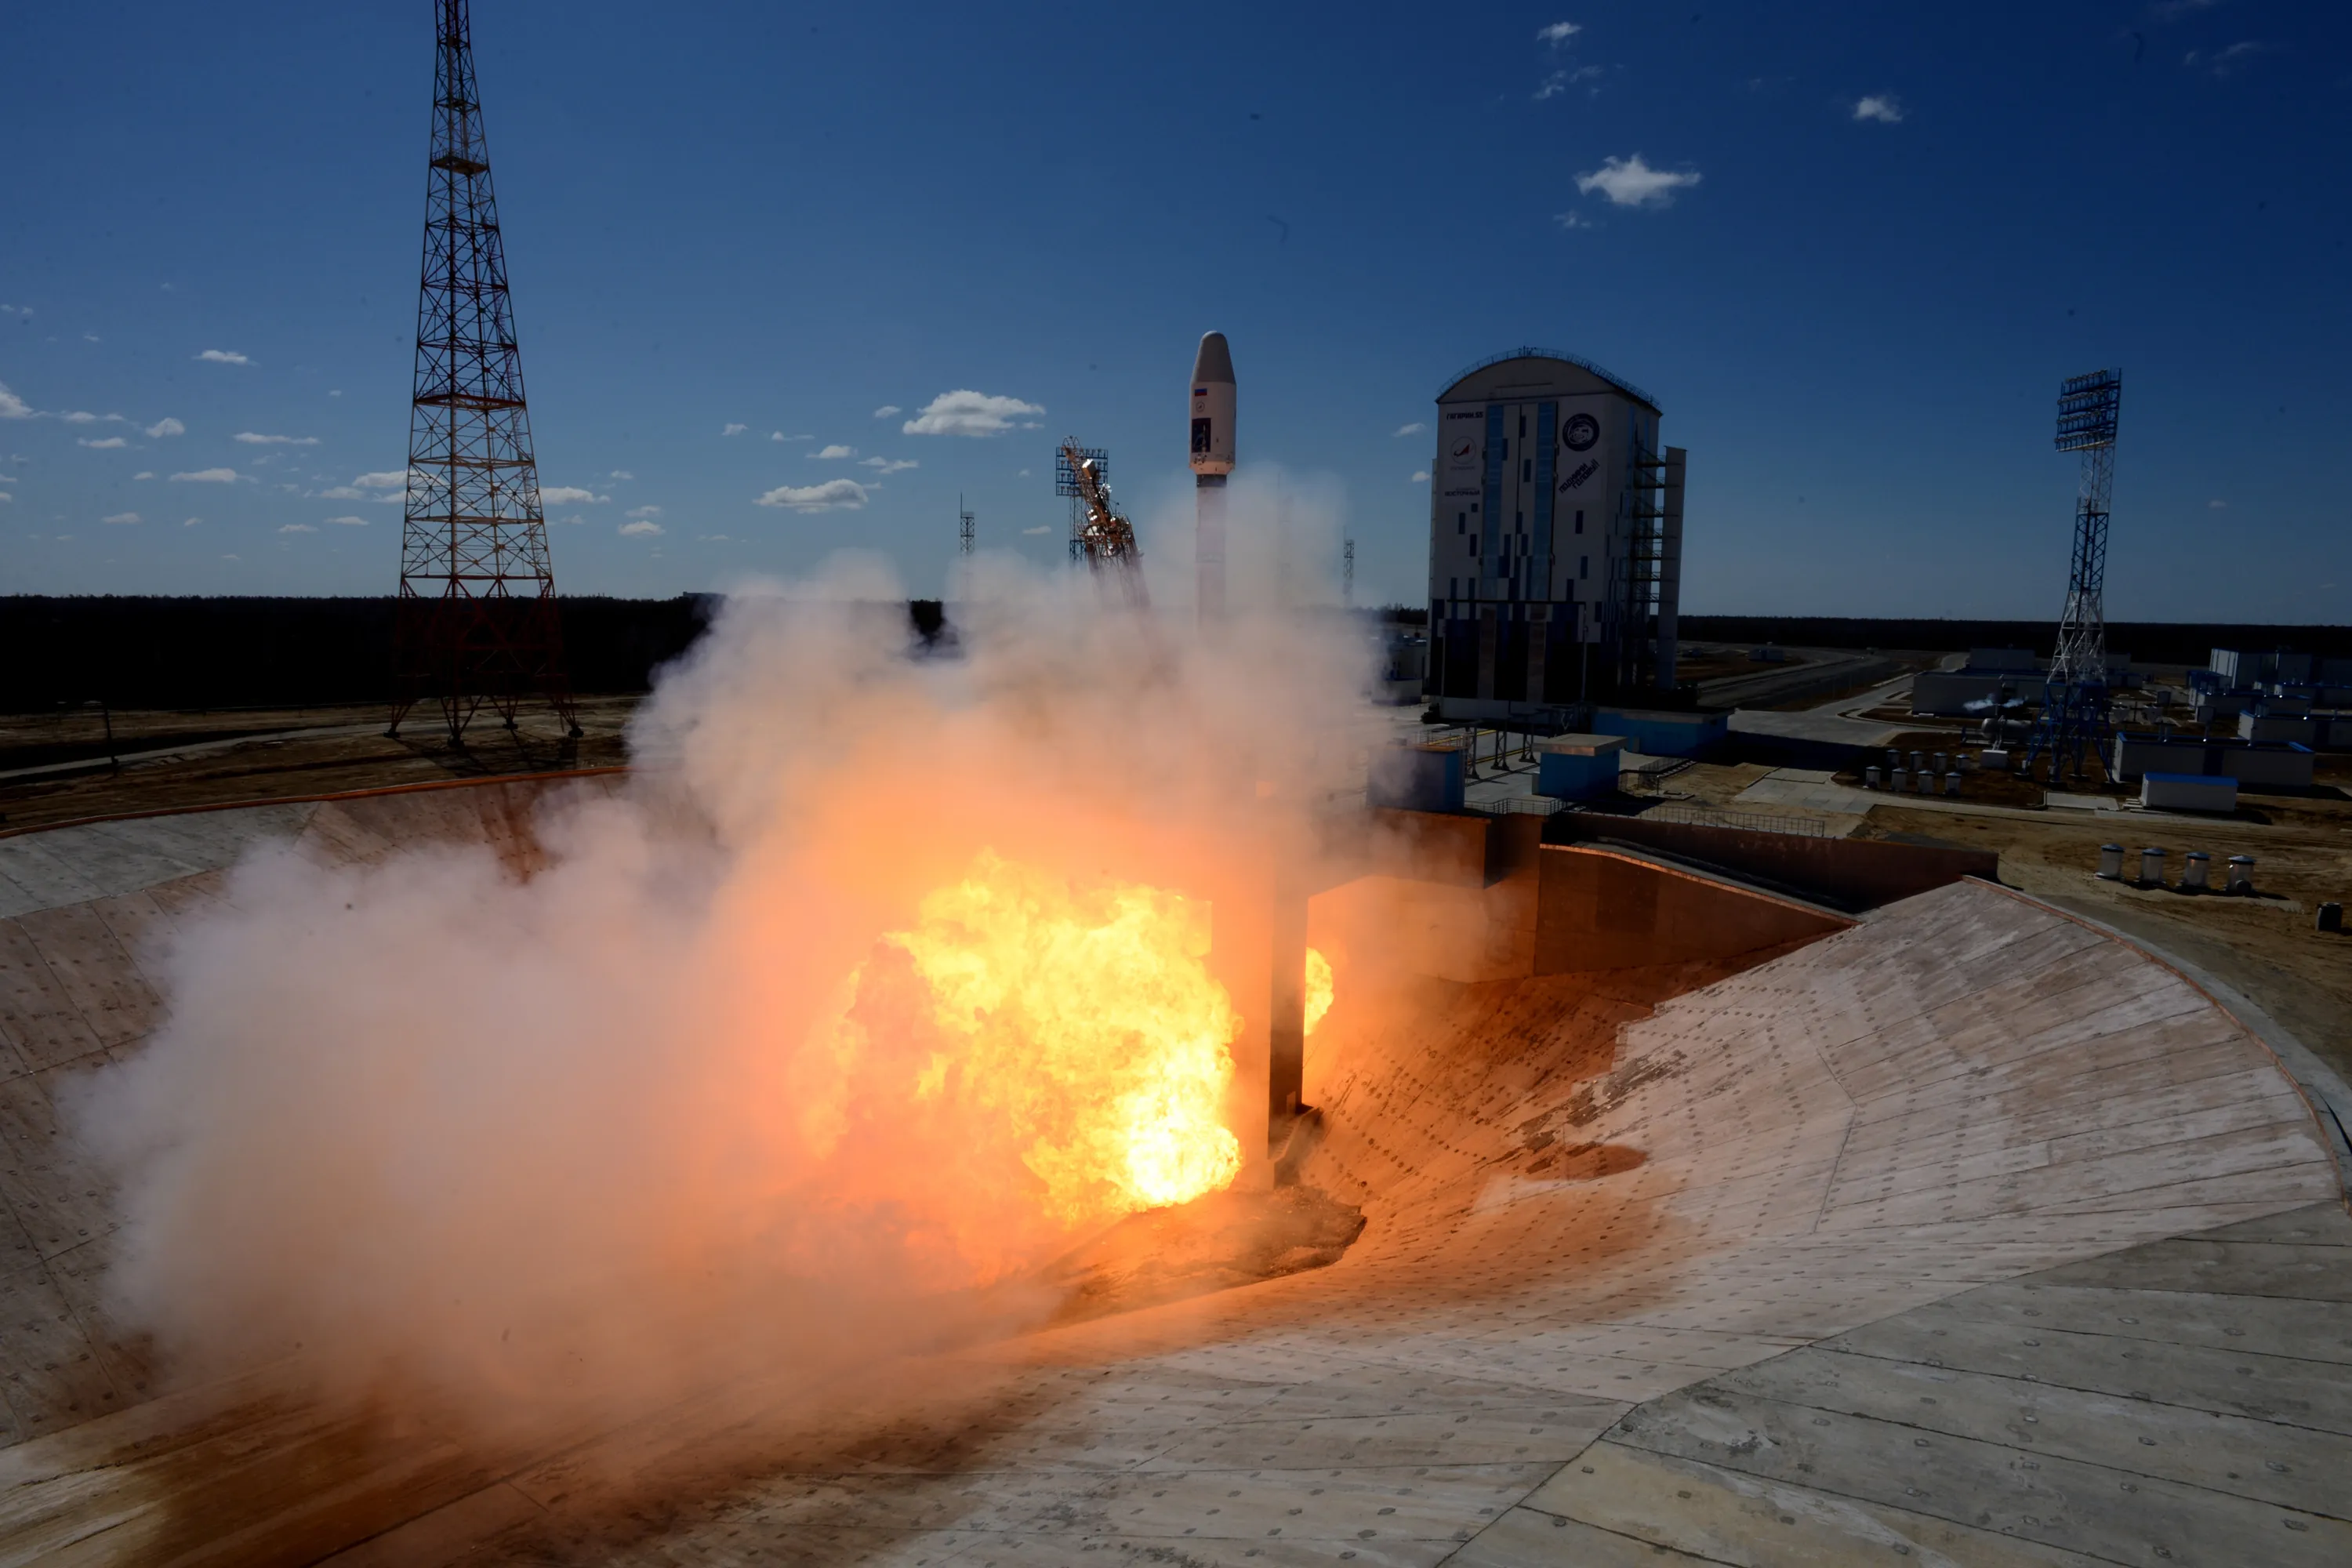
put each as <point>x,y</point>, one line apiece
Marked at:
<point>476,619</point>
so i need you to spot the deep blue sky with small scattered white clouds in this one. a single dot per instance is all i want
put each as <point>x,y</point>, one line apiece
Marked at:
<point>1850,248</point>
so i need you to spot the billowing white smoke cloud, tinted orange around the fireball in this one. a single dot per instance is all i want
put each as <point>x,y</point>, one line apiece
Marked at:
<point>526,1151</point>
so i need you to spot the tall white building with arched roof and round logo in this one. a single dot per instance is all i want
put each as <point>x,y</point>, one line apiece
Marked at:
<point>1556,540</point>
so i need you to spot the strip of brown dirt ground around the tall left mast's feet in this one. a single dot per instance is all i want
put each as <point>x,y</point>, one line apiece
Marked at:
<point>168,760</point>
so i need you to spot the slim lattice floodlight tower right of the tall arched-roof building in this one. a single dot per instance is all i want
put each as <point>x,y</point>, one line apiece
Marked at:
<point>2076,695</point>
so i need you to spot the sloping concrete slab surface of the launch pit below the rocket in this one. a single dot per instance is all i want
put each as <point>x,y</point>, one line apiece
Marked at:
<point>1629,1238</point>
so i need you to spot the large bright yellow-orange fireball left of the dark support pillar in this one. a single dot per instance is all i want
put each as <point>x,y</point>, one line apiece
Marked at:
<point>1078,1028</point>
